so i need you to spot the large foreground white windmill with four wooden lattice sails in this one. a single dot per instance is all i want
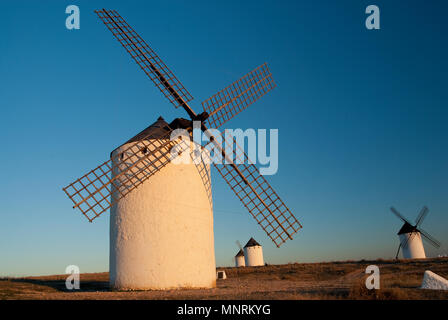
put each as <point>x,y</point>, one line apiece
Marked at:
<point>138,182</point>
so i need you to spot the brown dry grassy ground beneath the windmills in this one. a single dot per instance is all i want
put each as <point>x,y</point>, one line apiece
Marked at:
<point>329,280</point>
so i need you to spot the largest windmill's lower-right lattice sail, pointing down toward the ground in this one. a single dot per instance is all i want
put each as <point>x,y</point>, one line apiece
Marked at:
<point>257,195</point>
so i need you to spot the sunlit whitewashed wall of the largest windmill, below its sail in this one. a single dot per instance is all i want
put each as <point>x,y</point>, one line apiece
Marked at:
<point>161,234</point>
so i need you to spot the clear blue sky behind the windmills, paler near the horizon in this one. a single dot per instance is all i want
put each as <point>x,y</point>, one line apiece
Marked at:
<point>361,115</point>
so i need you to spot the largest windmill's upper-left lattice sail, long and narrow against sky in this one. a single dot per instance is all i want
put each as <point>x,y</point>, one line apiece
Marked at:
<point>145,57</point>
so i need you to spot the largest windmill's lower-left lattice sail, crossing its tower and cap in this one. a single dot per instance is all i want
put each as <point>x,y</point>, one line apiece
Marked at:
<point>104,186</point>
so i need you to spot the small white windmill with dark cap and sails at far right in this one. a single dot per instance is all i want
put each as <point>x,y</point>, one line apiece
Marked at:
<point>411,236</point>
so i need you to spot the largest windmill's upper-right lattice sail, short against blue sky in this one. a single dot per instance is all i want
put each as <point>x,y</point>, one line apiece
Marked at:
<point>236,97</point>
